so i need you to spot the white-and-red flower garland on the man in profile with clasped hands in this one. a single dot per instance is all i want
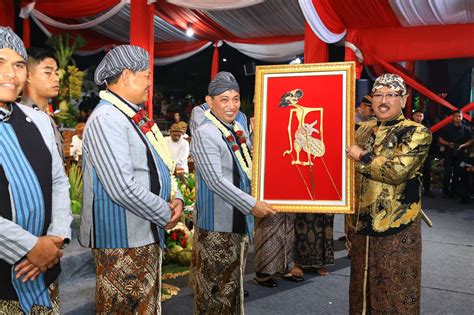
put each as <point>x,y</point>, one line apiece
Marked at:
<point>151,131</point>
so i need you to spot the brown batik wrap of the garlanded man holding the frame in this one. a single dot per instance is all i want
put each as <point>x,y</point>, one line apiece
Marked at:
<point>219,272</point>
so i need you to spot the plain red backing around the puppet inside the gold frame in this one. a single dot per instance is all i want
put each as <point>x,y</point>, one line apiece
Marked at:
<point>283,181</point>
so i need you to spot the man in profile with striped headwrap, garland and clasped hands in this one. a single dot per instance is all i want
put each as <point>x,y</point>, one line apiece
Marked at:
<point>129,192</point>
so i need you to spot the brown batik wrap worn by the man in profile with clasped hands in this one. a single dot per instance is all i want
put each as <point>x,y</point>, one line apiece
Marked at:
<point>128,280</point>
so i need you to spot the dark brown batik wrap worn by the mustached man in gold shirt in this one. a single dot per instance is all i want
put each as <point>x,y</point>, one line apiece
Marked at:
<point>394,273</point>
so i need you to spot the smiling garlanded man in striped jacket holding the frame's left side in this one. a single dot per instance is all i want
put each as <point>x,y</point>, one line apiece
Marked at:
<point>224,208</point>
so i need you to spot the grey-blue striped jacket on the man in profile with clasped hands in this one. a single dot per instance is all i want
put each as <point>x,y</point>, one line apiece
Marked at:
<point>120,209</point>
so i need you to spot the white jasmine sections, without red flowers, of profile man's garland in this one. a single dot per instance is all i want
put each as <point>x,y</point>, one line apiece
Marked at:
<point>153,135</point>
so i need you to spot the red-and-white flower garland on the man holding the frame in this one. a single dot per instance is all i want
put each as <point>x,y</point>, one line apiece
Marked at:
<point>245,165</point>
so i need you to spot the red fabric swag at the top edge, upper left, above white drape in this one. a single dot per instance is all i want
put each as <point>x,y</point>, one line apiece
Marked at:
<point>71,8</point>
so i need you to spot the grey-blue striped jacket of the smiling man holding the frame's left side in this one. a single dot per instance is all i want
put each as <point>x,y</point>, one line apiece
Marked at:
<point>218,195</point>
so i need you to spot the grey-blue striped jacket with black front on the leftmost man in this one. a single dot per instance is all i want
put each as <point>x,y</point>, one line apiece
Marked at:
<point>34,200</point>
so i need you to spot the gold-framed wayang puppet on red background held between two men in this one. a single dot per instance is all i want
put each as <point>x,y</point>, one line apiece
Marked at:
<point>304,120</point>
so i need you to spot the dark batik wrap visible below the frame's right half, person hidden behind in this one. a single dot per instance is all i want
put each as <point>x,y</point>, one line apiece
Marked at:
<point>314,243</point>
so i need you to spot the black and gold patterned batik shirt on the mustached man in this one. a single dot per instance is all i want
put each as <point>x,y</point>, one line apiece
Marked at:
<point>388,177</point>
